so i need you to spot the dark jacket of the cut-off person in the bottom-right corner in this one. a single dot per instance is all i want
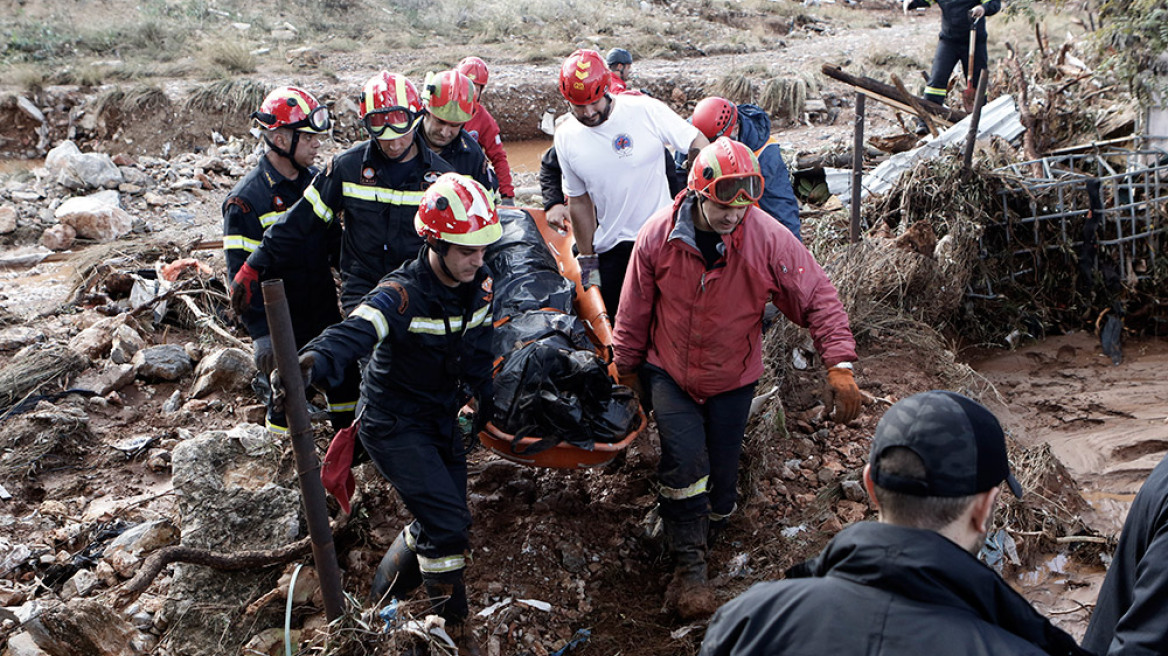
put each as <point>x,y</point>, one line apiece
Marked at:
<point>1131,617</point>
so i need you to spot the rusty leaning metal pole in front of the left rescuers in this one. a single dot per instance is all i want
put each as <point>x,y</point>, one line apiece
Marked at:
<point>308,465</point>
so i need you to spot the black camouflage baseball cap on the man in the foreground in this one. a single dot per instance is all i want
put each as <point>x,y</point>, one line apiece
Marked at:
<point>960,441</point>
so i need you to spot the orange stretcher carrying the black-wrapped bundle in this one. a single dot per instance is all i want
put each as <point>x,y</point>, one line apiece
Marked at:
<point>590,310</point>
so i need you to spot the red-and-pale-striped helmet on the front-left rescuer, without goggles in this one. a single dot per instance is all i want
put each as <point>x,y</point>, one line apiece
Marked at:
<point>458,211</point>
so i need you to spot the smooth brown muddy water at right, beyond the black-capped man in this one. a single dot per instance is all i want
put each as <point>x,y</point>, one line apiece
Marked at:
<point>1109,427</point>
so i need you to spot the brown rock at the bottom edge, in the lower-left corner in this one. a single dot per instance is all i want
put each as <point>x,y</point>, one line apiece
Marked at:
<point>84,626</point>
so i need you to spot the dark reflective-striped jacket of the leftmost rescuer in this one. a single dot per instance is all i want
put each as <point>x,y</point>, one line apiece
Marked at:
<point>256,203</point>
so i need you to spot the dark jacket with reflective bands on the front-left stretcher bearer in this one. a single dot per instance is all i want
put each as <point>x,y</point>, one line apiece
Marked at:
<point>428,340</point>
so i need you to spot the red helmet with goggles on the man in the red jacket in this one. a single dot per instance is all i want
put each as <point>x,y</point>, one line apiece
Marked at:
<point>727,173</point>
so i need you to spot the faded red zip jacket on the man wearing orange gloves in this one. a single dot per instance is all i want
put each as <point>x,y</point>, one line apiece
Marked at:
<point>705,327</point>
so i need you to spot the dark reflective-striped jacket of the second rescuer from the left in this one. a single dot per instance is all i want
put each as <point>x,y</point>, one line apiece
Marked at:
<point>378,199</point>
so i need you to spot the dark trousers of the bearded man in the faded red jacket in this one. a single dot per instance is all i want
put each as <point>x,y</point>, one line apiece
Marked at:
<point>700,448</point>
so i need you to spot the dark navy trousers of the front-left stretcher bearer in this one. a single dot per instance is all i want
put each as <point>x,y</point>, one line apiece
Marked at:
<point>426,462</point>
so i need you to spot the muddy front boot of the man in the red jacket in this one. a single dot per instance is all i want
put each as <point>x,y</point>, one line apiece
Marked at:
<point>690,596</point>
